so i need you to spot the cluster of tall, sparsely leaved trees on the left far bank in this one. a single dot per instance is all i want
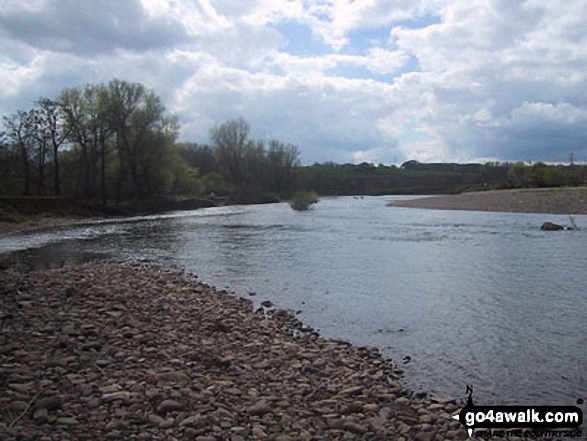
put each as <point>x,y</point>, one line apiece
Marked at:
<point>115,142</point>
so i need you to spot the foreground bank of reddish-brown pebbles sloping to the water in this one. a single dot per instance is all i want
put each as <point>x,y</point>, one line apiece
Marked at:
<point>122,352</point>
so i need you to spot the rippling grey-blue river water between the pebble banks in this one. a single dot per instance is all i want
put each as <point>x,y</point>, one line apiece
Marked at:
<point>485,299</point>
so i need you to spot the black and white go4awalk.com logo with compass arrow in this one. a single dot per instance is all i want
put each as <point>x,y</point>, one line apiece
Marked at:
<point>528,421</point>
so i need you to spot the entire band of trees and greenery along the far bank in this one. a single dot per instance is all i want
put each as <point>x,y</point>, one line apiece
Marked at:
<point>114,144</point>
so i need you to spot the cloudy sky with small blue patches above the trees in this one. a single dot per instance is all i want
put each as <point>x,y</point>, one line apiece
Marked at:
<point>382,81</point>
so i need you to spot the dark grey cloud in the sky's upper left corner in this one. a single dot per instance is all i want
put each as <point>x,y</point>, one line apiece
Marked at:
<point>87,28</point>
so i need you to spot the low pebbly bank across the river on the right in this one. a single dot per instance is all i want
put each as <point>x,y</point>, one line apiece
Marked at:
<point>551,201</point>
